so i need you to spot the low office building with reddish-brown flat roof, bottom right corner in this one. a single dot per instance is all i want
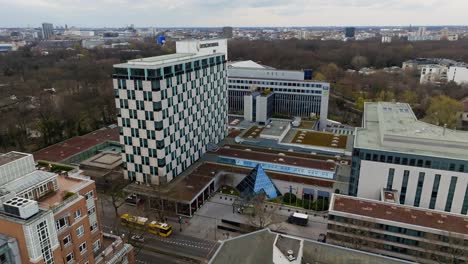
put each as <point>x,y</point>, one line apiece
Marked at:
<point>399,231</point>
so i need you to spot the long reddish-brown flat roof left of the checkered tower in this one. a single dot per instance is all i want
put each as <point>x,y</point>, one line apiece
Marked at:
<point>70,147</point>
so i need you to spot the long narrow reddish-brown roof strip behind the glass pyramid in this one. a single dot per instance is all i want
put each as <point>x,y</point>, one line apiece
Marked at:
<point>276,159</point>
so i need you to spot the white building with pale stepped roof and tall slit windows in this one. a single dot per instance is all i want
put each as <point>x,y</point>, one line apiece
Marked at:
<point>426,164</point>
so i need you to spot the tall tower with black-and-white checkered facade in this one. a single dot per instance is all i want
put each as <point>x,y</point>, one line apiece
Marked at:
<point>169,109</point>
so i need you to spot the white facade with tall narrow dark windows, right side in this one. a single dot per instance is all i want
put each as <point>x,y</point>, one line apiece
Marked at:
<point>421,187</point>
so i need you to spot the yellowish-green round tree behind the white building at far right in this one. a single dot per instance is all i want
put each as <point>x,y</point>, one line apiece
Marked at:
<point>444,110</point>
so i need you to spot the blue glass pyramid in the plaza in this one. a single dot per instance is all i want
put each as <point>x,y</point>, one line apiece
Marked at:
<point>257,181</point>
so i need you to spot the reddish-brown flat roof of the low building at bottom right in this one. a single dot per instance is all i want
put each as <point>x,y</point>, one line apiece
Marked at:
<point>438,220</point>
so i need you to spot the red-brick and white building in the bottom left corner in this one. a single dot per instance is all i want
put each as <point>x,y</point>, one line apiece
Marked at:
<point>50,218</point>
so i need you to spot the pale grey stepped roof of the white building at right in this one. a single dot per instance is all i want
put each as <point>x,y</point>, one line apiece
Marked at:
<point>394,127</point>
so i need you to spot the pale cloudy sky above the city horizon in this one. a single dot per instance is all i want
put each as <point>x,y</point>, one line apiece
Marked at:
<point>198,13</point>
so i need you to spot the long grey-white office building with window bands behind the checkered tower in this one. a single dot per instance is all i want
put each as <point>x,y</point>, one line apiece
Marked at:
<point>293,94</point>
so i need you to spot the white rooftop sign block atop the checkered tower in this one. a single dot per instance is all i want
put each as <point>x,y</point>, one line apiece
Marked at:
<point>202,47</point>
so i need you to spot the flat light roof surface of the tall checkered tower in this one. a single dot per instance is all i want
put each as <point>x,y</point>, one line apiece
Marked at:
<point>163,60</point>
